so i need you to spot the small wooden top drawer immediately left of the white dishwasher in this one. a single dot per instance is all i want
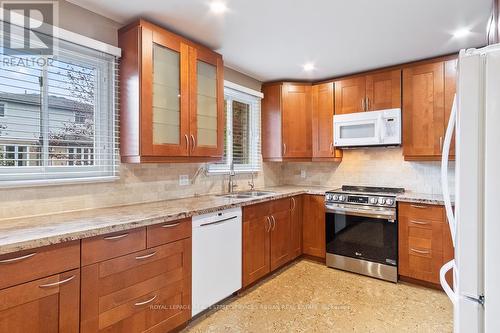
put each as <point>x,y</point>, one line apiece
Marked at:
<point>168,232</point>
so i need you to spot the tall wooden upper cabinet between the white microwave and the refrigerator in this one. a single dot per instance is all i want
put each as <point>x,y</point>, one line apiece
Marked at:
<point>423,111</point>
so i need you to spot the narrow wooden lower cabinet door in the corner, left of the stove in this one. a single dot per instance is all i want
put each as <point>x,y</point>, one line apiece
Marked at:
<point>313,221</point>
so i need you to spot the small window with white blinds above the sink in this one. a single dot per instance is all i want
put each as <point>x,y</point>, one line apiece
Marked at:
<point>242,134</point>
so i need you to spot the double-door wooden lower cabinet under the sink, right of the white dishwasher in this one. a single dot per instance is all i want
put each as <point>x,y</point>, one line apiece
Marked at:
<point>271,232</point>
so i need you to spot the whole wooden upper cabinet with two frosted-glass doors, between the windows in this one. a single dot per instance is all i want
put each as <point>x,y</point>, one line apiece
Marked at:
<point>171,97</point>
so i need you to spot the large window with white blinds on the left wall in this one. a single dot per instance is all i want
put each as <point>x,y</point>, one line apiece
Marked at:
<point>58,116</point>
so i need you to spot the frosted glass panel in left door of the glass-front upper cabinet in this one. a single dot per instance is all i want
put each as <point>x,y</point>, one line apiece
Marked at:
<point>166,95</point>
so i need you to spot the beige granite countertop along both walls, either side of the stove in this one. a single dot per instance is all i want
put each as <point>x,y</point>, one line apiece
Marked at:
<point>31,232</point>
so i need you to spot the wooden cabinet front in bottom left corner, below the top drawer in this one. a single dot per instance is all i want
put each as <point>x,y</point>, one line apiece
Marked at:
<point>50,304</point>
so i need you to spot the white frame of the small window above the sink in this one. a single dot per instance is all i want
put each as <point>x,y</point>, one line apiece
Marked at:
<point>234,92</point>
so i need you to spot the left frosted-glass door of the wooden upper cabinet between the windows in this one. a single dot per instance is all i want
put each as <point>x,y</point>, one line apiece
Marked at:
<point>165,95</point>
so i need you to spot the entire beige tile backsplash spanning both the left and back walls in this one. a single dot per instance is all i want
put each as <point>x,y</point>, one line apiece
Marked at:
<point>154,182</point>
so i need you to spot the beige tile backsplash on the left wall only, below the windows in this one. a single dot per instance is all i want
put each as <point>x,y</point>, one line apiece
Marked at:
<point>138,183</point>
